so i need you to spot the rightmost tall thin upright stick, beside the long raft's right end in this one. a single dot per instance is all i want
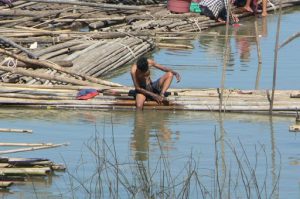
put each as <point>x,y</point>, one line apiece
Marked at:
<point>275,58</point>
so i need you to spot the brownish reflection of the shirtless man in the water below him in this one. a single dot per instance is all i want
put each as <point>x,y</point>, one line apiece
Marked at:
<point>150,125</point>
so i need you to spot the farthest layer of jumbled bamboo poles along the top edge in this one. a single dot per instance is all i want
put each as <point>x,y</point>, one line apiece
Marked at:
<point>66,14</point>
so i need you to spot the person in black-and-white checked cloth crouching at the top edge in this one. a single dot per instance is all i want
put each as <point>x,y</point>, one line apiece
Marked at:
<point>217,10</point>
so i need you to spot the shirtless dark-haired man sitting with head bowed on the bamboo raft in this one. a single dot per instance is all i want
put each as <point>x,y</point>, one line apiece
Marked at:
<point>140,74</point>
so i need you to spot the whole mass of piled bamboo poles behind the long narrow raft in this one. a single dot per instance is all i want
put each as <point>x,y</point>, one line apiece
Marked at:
<point>115,35</point>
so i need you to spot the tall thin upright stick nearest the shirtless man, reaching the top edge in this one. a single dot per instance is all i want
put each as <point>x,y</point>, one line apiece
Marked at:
<point>225,55</point>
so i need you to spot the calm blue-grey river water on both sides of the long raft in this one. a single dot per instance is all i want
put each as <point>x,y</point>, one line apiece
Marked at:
<point>246,146</point>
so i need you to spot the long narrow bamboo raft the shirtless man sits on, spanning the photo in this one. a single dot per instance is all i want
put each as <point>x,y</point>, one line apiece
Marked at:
<point>116,98</point>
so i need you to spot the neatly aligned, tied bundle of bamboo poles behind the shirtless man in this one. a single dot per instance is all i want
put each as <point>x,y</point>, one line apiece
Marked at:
<point>104,57</point>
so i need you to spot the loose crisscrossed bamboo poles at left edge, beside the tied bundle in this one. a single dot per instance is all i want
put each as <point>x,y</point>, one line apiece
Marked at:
<point>57,74</point>
